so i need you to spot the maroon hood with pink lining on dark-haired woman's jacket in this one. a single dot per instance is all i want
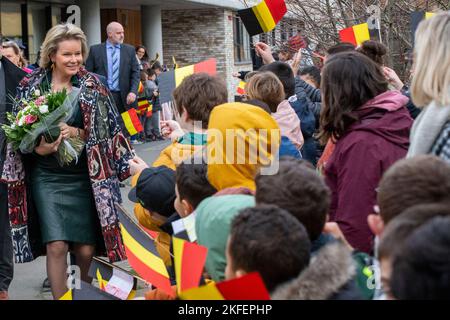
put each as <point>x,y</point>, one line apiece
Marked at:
<point>385,116</point>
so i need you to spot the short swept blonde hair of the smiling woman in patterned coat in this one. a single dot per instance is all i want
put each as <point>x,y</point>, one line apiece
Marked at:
<point>55,35</point>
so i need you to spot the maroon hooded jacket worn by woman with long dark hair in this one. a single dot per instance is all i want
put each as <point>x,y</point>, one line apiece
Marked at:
<point>361,156</point>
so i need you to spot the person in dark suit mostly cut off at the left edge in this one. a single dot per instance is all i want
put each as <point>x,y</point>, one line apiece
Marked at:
<point>10,75</point>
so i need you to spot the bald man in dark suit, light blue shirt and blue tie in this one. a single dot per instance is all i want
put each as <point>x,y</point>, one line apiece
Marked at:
<point>118,63</point>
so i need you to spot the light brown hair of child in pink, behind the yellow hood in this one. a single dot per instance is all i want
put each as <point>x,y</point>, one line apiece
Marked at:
<point>266,87</point>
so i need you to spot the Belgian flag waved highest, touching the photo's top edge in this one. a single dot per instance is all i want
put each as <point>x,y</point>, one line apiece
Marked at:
<point>263,17</point>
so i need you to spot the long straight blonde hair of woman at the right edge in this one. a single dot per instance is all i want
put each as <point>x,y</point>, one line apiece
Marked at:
<point>431,79</point>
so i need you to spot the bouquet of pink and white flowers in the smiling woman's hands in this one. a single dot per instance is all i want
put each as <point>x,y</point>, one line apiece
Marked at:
<point>41,116</point>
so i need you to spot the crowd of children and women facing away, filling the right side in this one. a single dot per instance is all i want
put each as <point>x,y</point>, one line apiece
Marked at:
<point>369,220</point>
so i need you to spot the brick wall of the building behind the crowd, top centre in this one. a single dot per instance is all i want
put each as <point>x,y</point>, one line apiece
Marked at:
<point>192,36</point>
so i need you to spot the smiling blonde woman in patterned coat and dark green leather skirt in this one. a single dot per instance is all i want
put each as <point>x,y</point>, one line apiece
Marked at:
<point>68,207</point>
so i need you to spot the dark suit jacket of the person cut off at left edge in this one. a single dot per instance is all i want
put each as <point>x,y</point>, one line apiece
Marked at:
<point>12,75</point>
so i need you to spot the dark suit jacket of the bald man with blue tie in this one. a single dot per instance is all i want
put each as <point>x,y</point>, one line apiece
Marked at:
<point>129,73</point>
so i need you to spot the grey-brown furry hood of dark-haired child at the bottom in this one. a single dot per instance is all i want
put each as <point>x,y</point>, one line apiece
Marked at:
<point>330,276</point>
